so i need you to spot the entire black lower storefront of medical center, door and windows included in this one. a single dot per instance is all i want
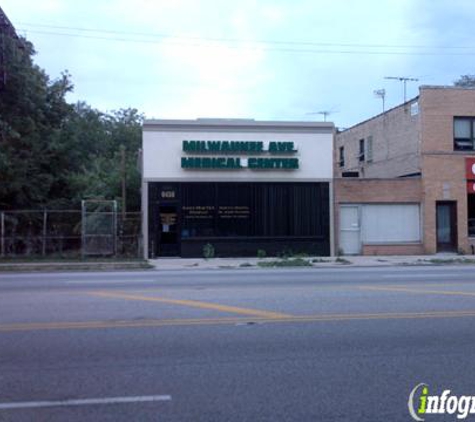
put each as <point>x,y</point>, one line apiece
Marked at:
<point>238,218</point>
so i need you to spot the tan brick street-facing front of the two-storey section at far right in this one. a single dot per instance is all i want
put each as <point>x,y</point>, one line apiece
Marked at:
<point>443,169</point>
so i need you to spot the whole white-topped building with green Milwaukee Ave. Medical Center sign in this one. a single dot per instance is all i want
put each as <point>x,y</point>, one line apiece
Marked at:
<point>238,185</point>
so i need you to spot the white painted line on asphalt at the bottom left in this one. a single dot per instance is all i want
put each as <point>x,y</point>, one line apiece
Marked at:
<point>82,402</point>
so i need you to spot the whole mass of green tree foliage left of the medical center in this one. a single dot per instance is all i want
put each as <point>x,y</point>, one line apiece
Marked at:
<point>52,153</point>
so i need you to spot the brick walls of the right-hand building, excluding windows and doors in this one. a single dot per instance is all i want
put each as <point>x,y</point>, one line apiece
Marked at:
<point>405,144</point>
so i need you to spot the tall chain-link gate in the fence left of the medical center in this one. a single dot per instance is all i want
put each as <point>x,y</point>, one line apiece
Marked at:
<point>99,227</point>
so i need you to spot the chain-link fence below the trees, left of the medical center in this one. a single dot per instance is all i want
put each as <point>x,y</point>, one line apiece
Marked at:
<point>59,234</point>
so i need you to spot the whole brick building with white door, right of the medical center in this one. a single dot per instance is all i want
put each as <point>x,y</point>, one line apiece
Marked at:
<point>404,180</point>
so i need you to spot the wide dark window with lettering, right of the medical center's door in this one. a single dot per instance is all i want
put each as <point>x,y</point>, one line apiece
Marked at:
<point>254,209</point>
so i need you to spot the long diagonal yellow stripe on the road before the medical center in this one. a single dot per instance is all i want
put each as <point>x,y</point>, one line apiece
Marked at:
<point>193,304</point>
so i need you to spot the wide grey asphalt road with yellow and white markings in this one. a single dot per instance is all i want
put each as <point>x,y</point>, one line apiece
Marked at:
<point>346,344</point>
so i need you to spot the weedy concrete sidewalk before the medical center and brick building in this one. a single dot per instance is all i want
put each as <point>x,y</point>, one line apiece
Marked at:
<point>317,262</point>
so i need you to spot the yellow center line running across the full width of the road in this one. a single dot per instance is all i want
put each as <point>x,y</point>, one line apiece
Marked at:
<point>84,325</point>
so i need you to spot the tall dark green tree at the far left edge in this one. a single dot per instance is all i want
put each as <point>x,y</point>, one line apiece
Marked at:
<point>33,111</point>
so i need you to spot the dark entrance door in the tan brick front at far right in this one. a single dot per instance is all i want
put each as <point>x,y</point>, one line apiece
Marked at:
<point>446,213</point>
